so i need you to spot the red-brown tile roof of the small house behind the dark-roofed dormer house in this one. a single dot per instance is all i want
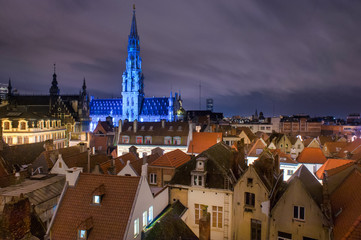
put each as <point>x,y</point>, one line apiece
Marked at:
<point>172,159</point>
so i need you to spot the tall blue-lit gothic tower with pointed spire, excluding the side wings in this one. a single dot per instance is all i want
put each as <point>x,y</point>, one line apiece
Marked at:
<point>133,92</point>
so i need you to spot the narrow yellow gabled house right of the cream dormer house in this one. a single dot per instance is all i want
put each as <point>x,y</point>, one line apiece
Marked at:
<point>254,194</point>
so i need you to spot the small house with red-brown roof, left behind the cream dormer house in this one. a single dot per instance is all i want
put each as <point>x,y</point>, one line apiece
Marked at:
<point>162,170</point>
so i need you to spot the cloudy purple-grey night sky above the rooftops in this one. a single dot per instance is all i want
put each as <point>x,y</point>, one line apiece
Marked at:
<point>279,57</point>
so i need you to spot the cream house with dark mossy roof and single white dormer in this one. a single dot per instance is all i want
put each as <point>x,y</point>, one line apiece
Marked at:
<point>208,180</point>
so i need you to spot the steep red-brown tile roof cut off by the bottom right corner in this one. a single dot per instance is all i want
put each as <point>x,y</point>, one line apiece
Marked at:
<point>345,202</point>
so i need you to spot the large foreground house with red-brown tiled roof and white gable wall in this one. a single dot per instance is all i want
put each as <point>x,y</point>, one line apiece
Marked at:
<point>106,207</point>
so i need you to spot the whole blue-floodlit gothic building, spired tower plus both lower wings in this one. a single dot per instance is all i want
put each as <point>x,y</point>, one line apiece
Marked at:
<point>133,105</point>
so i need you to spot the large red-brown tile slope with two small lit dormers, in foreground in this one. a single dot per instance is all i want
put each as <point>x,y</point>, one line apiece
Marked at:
<point>109,220</point>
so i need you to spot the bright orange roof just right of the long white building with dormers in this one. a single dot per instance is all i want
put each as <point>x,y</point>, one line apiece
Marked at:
<point>203,140</point>
